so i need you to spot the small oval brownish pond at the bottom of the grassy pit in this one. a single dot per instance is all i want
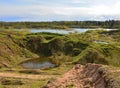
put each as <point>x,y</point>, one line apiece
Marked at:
<point>32,64</point>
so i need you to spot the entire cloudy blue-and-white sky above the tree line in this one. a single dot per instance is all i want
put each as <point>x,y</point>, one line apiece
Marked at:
<point>59,10</point>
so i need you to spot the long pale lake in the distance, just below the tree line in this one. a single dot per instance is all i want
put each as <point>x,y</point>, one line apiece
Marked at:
<point>79,30</point>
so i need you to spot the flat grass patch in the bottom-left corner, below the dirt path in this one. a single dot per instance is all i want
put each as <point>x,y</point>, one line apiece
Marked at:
<point>21,83</point>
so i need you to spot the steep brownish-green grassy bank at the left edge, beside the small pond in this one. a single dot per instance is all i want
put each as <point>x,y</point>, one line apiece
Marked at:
<point>11,53</point>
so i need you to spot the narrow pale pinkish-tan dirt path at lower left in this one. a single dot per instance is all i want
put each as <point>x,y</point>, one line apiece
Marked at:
<point>24,76</point>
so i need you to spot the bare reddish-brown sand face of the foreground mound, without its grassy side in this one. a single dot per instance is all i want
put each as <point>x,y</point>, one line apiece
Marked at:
<point>80,76</point>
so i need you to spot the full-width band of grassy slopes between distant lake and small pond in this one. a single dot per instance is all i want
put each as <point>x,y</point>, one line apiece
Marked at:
<point>17,46</point>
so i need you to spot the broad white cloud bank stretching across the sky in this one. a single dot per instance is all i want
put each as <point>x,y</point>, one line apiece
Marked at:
<point>95,12</point>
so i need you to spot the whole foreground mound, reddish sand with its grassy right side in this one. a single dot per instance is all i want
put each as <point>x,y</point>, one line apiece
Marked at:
<point>88,76</point>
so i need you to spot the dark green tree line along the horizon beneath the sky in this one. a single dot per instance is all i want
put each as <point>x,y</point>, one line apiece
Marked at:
<point>61,24</point>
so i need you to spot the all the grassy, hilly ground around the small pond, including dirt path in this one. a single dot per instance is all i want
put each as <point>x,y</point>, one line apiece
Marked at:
<point>64,50</point>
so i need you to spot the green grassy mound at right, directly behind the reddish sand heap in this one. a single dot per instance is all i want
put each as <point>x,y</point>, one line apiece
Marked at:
<point>100,54</point>
